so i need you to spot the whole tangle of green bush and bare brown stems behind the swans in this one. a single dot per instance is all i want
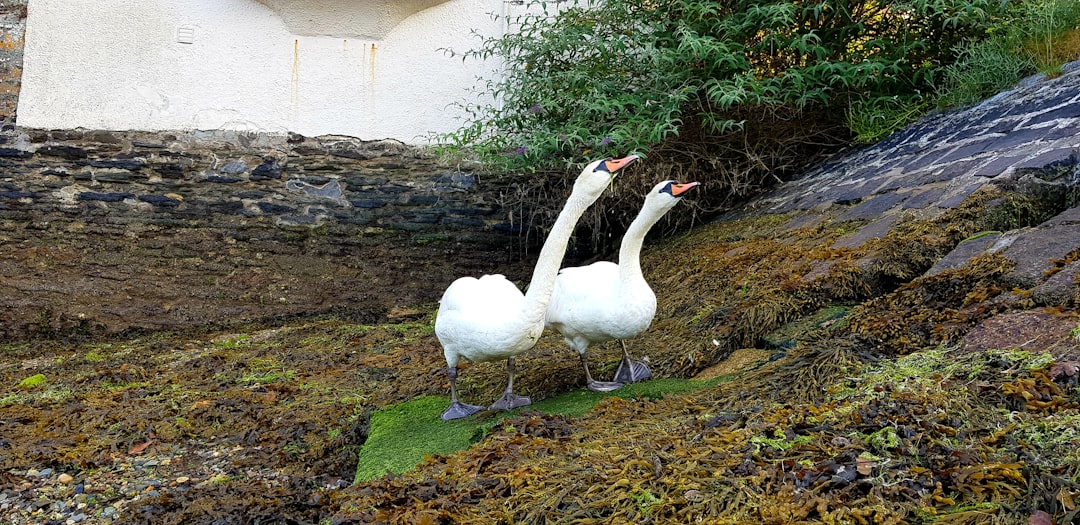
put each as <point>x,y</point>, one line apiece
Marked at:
<point>738,95</point>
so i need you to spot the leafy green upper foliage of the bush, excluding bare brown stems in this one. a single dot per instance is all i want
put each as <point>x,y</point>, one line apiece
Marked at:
<point>628,76</point>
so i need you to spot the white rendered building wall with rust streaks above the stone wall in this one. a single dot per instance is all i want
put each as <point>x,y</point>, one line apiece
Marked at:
<point>118,65</point>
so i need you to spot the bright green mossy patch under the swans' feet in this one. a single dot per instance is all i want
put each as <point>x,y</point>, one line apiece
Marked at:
<point>401,436</point>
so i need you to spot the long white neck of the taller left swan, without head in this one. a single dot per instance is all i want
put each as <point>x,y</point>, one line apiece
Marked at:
<point>551,257</point>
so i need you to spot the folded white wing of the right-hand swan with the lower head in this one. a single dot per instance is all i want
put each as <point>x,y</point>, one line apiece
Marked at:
<point>583,289</point>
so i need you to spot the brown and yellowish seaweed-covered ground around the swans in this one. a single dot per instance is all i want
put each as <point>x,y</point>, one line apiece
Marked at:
<point>830,382</point>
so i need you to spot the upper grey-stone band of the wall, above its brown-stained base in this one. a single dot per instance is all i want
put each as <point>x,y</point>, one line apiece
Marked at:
<point>231,179</point>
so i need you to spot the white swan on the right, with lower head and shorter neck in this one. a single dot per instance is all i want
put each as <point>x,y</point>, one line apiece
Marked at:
<point>603,302</point>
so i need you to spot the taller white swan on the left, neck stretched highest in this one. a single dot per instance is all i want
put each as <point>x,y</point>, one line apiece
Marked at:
<point>489,319</point>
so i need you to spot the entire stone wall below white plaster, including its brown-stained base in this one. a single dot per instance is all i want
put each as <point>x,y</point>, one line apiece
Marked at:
<point>103,233</point>
